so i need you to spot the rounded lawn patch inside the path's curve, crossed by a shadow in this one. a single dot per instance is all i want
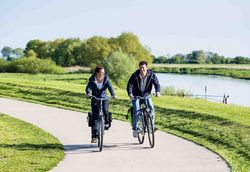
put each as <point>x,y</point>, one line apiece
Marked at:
<point>24,147</point>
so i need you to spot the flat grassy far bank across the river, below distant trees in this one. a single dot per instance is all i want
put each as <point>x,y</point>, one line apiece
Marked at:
<point>234,71</point>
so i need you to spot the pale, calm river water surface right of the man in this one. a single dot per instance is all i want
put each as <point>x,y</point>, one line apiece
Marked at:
<point>237,89</point>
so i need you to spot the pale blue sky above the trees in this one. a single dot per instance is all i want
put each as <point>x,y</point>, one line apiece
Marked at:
<point>166,27</point>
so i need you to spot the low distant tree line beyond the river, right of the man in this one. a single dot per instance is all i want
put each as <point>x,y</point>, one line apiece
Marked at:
<point>200,57</point>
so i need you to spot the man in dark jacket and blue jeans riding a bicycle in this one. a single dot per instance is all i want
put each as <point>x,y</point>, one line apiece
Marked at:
<point>140,84</point>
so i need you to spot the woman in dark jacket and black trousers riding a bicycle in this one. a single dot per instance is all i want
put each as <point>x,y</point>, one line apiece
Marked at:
<point>98,84</point>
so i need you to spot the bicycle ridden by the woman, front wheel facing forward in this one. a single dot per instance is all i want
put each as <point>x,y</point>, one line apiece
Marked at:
<point>100,122</point>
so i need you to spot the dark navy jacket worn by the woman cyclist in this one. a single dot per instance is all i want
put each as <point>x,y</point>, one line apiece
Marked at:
<point>100,93</point>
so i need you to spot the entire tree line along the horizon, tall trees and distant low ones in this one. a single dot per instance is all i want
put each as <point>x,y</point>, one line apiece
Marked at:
<point>92,51</point>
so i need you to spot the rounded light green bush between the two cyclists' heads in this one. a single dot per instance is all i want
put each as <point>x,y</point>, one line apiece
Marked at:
<point>119,67</point>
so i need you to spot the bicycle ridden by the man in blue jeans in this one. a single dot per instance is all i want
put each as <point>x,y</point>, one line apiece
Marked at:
<point>145,123</point>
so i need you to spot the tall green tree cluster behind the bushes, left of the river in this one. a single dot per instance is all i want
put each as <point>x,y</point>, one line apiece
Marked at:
<point>89,52</point>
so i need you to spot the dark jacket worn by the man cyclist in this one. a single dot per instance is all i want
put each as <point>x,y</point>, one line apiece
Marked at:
<point>134,82</point>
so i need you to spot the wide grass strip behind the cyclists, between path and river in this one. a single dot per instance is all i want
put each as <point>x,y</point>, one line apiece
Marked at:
<point>224,129</point>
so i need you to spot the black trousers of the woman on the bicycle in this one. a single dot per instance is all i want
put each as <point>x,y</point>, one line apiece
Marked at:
<point>95,106</point>
